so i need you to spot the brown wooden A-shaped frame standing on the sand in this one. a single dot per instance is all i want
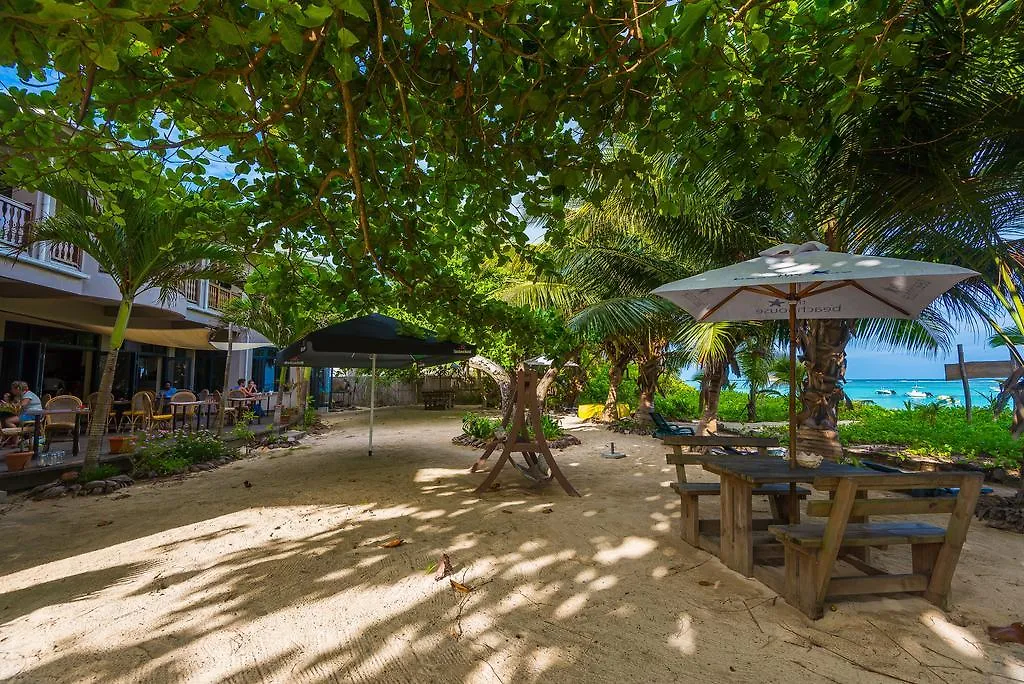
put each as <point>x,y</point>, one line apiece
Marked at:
<point>514,437</point>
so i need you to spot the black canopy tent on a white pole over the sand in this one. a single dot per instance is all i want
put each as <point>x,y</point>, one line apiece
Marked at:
<point>370,343</point>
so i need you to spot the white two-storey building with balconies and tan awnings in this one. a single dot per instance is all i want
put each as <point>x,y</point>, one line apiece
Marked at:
<point>58,309</point>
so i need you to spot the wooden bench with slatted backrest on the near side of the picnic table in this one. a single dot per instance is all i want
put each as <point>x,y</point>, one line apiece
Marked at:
<point>814,549</point>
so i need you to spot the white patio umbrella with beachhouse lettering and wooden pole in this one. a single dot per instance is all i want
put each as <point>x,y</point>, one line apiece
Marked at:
<point>809,282</point>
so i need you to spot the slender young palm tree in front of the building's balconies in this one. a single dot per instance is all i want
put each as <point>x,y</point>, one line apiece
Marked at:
<point>151,238</point>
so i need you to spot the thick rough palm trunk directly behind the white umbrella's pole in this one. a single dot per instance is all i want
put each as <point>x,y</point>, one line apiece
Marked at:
<point>824,346</point>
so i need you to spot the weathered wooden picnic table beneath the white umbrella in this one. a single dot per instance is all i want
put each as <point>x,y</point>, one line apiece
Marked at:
<point>741,476</point>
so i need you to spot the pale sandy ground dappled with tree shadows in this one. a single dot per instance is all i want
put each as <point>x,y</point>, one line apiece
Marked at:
<point>206,580</point>
